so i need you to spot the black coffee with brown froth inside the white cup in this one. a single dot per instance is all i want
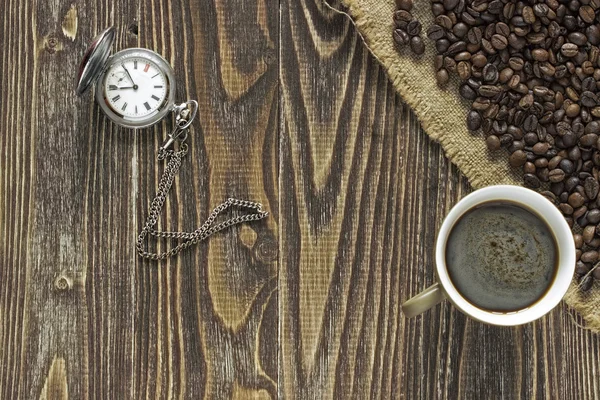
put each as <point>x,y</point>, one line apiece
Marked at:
<point>501,257</point>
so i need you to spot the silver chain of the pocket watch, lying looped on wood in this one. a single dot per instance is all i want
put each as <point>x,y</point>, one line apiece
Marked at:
<point>207,229</point>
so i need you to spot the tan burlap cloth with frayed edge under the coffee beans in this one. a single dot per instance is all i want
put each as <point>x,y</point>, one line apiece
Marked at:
<point>442,113</point>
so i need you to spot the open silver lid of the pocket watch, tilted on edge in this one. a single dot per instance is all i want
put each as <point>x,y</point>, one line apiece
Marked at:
<point>95,59</point>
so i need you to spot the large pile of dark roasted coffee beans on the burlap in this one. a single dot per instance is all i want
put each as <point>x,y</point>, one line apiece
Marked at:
<point>531,70</point>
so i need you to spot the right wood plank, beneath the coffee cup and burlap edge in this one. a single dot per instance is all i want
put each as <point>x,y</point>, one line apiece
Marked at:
<point>364,194</point>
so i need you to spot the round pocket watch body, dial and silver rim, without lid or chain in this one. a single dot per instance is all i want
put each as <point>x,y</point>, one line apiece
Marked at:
<point>136,89</point>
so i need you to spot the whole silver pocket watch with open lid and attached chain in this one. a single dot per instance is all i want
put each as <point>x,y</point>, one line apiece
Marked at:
<point>136,89</point>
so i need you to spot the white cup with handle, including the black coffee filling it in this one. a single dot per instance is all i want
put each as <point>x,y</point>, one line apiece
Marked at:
<point>504,256</point>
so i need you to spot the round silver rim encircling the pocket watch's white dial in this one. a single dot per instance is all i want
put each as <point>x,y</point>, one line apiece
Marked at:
<point>147,120</point>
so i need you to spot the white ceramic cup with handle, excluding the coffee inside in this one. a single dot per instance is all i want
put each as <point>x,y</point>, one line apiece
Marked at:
<point>444,289</point>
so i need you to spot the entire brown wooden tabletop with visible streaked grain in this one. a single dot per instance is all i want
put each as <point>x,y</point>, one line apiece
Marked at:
<point>294,113</point>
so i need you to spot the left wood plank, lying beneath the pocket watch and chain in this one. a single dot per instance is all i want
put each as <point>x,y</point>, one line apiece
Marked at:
<point>81,315</point>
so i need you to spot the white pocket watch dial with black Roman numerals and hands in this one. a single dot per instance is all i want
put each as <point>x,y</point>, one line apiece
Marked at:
<point>135,87</point>
